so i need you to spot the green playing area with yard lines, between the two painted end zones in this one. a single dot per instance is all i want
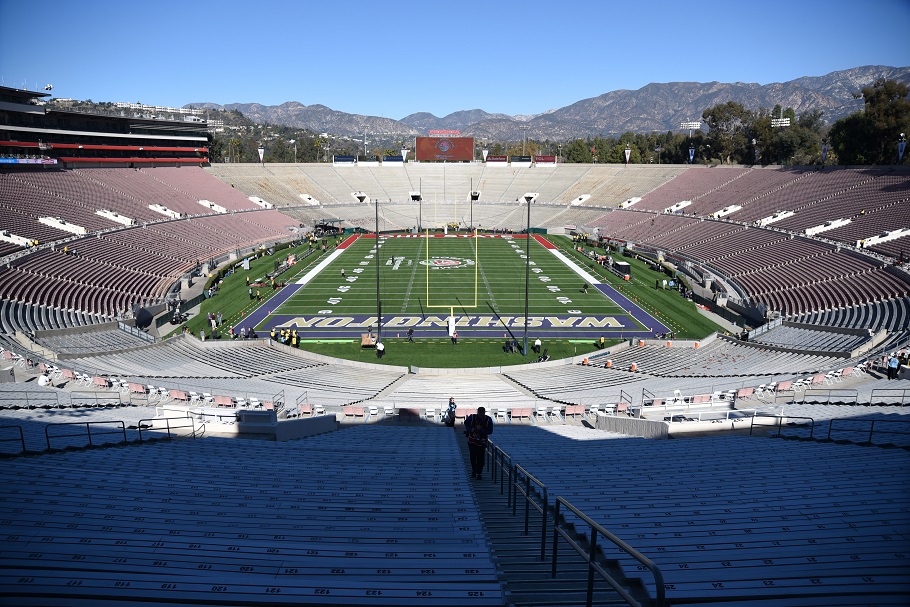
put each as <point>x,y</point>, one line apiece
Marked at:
<point>470,276</point>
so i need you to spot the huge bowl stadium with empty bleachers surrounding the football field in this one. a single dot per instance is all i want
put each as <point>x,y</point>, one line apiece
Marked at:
<point>760,458</point>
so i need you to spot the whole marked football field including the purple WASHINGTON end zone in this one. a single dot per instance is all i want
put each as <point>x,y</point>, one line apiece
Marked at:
<point>433,284</point>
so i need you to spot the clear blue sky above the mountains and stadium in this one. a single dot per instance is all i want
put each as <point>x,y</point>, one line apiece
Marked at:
<point>393,59</point>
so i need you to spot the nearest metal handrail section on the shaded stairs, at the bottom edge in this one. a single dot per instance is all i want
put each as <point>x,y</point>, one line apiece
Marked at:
<point>590,553</point>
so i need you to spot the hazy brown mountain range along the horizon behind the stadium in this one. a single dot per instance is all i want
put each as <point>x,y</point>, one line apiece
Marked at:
<point>654,107</point>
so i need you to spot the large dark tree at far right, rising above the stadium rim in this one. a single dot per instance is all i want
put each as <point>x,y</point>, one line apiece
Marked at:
<point>871,136</point>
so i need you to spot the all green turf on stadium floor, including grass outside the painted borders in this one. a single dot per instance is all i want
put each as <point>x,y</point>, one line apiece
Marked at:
<point>486,284</point>
